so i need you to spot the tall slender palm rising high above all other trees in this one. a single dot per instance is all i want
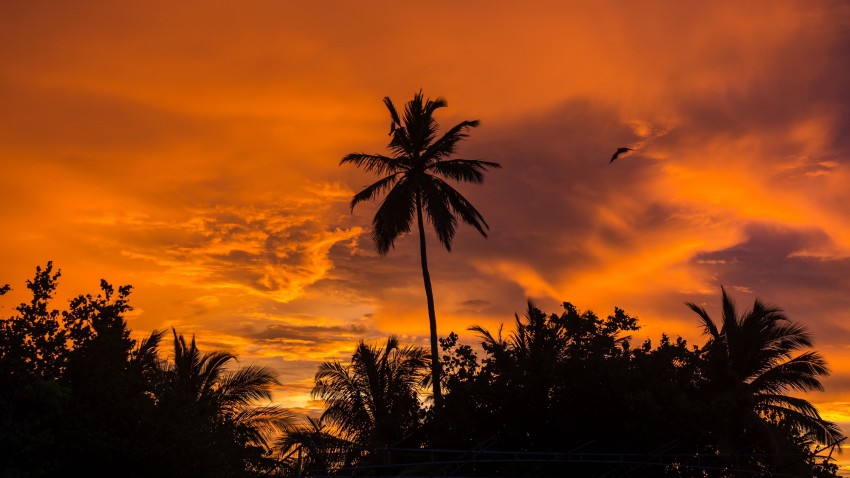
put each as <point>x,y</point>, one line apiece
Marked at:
<point>413,177</point>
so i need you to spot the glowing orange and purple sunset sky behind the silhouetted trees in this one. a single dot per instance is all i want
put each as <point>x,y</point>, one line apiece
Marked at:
<point>192,149</point>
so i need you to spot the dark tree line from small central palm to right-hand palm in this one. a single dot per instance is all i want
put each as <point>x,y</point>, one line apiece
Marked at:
<point>573,381</point>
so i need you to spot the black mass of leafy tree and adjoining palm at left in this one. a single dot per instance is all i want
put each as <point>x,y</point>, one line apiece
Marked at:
<point>79,396</point>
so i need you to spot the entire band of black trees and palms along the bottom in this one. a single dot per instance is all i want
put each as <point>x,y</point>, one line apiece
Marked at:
<point>562,394</point>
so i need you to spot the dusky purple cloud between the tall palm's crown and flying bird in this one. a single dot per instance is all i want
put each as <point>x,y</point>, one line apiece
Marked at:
<point>555,175</point>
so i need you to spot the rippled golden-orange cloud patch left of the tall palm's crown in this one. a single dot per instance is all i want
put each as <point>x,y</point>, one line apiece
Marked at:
<point>269,251</point>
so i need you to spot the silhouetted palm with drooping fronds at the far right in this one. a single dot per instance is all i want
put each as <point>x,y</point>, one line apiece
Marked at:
<point>751,367</point>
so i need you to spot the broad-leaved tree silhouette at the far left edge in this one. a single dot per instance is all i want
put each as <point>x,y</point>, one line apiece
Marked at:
<point>74,389</point>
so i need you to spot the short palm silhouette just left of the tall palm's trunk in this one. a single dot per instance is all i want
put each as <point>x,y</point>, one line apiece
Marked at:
<point>373,400</point>
